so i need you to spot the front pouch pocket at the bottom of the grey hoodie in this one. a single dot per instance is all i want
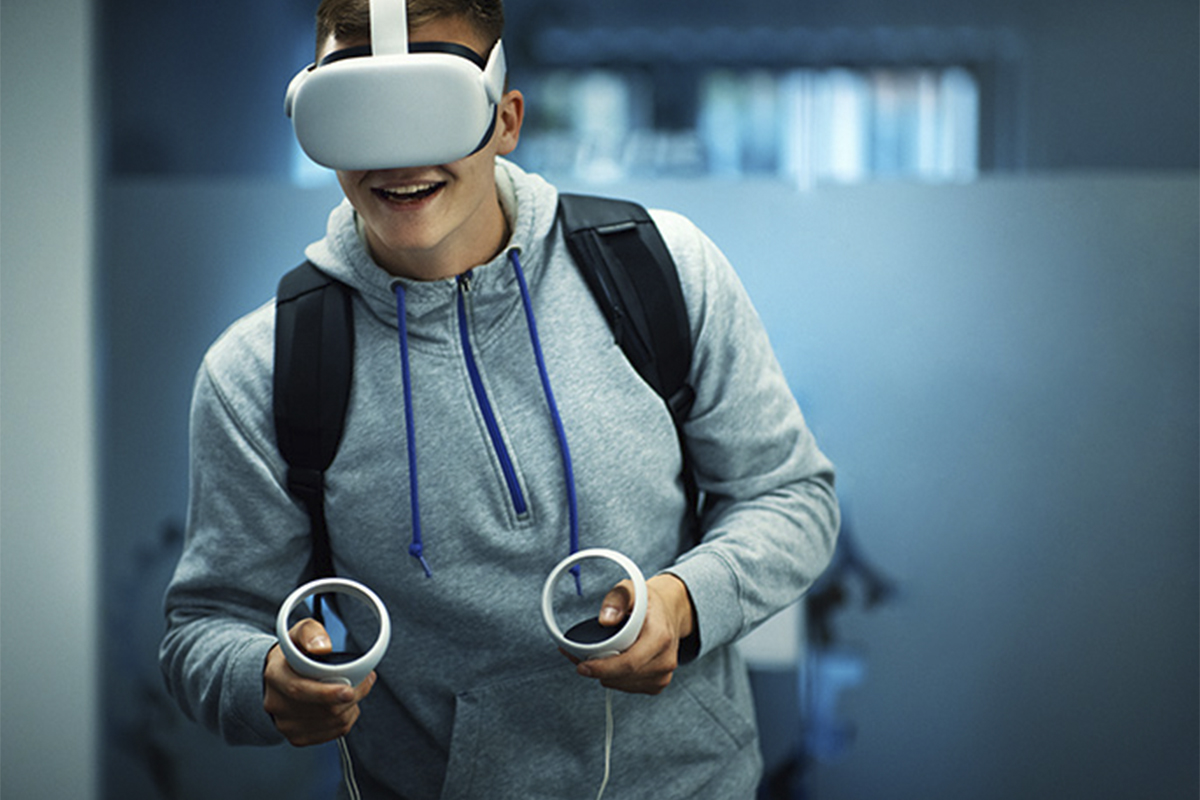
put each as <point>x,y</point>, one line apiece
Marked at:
<point>543,737</point>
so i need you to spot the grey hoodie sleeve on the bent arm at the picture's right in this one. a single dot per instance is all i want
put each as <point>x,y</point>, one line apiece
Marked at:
<point>772,518</point>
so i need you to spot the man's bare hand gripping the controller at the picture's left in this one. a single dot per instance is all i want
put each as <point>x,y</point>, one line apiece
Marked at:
<point>310,712</point>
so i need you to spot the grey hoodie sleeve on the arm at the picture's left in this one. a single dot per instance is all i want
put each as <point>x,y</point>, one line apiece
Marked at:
<point>245,548</point>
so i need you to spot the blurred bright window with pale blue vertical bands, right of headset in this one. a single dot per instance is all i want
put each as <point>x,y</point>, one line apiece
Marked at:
<point>807,125</point>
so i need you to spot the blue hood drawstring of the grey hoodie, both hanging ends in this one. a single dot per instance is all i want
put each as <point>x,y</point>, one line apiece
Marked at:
<point>417,549</point>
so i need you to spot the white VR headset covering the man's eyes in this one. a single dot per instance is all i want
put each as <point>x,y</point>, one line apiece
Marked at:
<point>391,106</point>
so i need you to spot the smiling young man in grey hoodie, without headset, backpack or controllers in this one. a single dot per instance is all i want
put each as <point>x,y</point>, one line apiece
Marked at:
<point>472,699</point>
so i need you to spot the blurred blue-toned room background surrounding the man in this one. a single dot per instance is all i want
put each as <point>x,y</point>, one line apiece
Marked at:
<point>971,230</point>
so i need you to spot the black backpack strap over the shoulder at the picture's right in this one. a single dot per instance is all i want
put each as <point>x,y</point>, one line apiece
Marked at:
<point>629,269</point>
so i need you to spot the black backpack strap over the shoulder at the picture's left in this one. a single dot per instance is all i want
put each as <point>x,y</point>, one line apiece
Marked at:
<point>314,368</point>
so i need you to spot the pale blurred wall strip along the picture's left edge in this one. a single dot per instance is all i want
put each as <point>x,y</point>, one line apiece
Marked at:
<point>47,498</point>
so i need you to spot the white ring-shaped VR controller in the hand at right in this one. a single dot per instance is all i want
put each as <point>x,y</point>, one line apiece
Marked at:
<point>590,640</point>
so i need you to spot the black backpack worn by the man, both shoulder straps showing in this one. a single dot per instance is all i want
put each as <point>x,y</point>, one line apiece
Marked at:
<point>625,263</point>
